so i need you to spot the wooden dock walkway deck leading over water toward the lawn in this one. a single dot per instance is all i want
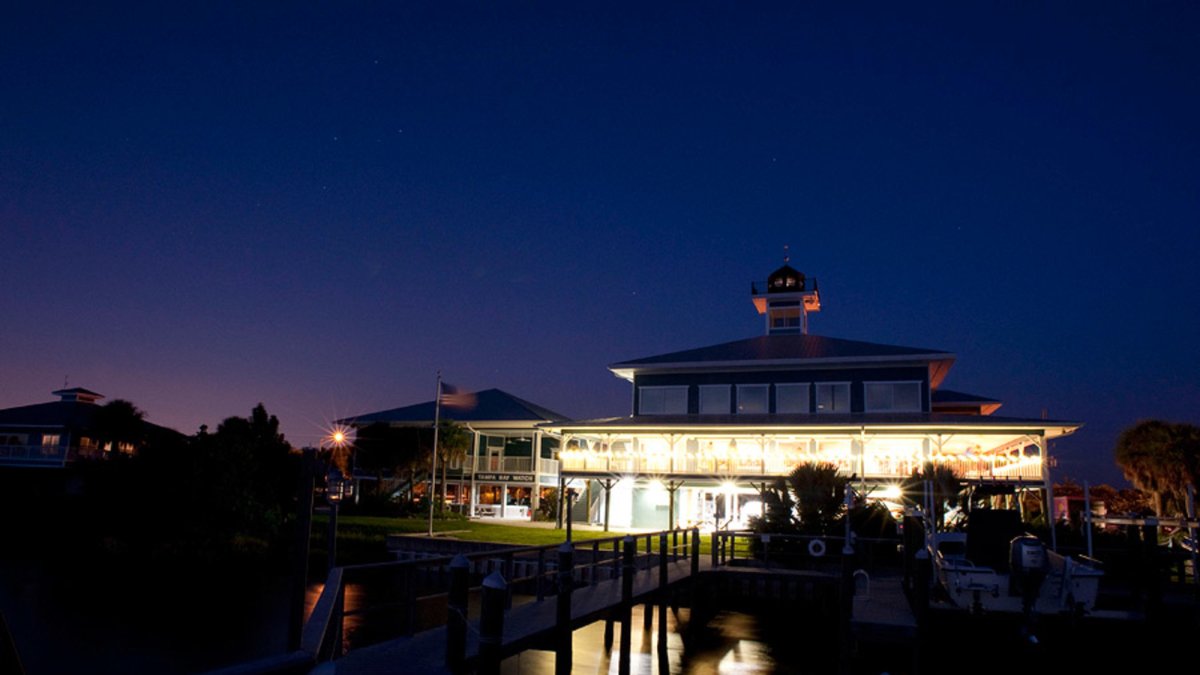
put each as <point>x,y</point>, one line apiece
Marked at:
<point>526,626</point>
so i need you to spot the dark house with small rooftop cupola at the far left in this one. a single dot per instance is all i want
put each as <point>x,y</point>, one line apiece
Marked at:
<point>58,433</point>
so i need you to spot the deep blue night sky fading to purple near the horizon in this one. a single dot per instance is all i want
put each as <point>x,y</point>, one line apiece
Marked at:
<point>319,206</point>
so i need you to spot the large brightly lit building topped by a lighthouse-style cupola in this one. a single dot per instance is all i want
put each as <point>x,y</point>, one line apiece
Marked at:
<point>712,427</point>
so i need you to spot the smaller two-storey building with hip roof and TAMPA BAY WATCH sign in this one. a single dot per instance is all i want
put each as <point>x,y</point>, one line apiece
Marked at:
<point>513,462</point>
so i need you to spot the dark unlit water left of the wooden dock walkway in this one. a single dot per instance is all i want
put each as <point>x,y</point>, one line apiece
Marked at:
<point>79,620</point>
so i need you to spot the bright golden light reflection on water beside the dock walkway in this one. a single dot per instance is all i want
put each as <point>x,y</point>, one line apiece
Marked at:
<point>731,643</point>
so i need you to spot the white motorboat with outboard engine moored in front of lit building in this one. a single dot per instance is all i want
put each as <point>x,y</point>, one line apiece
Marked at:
<point>995,566</point>
